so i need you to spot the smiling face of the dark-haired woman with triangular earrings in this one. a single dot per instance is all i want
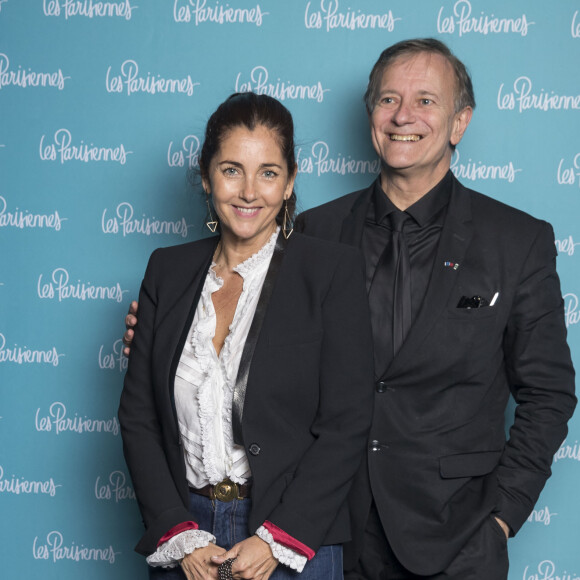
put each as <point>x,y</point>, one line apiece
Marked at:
<point>249,180</point>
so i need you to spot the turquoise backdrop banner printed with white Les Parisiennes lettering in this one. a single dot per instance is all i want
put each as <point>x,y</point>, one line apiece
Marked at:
<point>102,109</point>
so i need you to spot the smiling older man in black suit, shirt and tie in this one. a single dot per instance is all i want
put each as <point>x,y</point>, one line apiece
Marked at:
<point>466,307</point>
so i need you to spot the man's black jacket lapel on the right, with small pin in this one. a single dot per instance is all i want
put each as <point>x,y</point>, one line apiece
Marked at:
<point>455,239</point>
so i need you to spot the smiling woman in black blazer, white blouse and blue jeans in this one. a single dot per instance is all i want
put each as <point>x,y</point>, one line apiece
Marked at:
<point>248,395</point>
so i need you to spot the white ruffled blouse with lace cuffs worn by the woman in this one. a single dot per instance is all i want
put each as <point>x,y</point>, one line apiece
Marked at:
<point>204,387</point>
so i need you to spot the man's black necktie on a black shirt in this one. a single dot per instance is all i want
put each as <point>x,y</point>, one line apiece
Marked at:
<point>390,295</point>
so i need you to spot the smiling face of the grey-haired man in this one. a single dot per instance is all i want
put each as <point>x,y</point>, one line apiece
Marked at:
<point>414,122</point>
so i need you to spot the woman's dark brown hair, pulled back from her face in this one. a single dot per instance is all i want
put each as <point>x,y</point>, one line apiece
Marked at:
<point>251,110</point>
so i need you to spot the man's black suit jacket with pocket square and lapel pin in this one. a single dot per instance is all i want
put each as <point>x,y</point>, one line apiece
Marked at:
<point>442,464</point>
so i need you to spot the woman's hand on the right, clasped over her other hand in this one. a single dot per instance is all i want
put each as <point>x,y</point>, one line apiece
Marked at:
<point>254,559</point>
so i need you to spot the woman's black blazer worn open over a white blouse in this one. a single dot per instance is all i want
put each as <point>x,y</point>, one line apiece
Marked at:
<point>309,396</point>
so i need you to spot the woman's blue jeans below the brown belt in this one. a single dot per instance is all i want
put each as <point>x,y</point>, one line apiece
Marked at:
<point>228,522</point>
